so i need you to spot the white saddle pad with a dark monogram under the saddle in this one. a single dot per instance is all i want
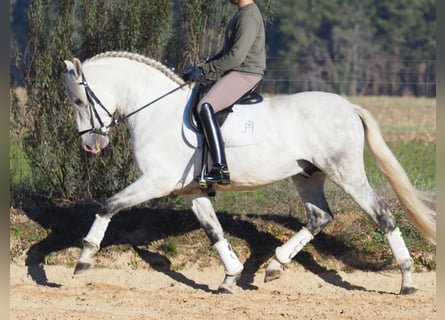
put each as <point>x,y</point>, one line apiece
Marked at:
<point>243,126</point>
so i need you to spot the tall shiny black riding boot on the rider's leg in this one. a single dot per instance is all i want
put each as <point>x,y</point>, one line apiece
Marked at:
<point>220,172</point>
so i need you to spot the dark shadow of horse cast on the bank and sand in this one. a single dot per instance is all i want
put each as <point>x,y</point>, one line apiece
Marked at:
<point>137,227</point>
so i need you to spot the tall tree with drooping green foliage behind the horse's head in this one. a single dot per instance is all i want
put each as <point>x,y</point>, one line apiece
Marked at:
<point>59,30</point>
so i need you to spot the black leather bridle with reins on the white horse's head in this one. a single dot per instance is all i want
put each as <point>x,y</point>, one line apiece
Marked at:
<point>93,100</point>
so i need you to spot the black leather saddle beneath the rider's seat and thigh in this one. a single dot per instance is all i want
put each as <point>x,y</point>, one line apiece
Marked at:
<point>253,96</point>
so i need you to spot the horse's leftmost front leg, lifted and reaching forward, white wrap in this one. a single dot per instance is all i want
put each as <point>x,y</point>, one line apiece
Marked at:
<point>136,193</point>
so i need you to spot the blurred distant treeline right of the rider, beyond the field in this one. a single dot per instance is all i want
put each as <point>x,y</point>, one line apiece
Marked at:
<point>372,46</point>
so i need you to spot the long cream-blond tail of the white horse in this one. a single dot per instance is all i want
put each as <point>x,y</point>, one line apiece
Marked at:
<point>423,217</point>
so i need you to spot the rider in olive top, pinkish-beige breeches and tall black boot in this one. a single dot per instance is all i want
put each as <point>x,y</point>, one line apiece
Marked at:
<point>239,66</point>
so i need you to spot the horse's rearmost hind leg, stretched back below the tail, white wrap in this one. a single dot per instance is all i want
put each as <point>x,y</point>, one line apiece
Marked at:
<point>358,187</point>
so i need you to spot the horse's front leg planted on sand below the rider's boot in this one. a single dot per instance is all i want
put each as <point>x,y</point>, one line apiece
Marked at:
<point>203,209</point>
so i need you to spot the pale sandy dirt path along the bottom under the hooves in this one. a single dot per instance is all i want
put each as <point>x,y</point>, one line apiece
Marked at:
<point>188,294</point>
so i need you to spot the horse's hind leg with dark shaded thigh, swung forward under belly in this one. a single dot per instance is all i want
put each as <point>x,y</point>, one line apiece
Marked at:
<point>318,214</point>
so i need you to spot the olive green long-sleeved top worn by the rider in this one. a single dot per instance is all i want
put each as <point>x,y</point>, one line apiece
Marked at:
<point>244,45</point>
